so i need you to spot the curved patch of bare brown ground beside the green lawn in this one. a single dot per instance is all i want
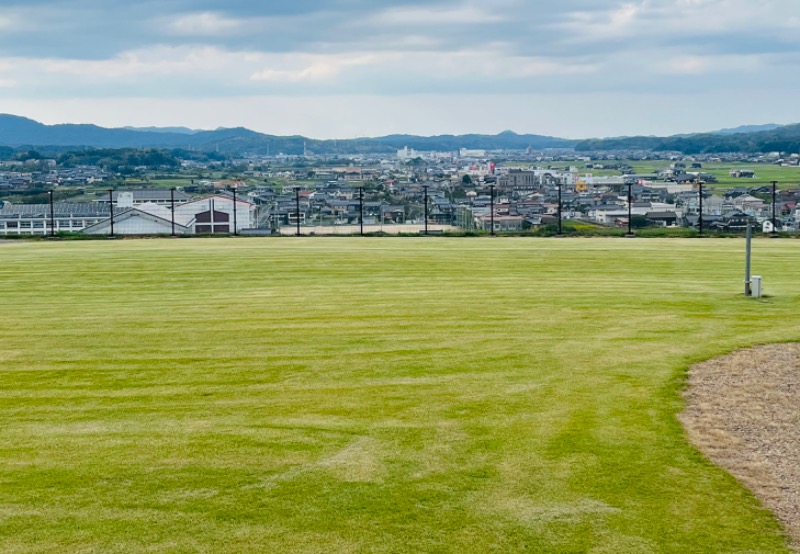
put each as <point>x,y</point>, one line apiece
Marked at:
<point>743,412</point>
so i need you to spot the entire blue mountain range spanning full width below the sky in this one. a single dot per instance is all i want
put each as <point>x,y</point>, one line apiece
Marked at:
<point>21,132</point>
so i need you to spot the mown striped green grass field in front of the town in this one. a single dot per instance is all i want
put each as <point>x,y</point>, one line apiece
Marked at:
<point>373,395</point>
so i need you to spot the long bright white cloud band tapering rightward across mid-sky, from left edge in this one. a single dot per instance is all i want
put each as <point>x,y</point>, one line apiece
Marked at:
<point>380,71</point>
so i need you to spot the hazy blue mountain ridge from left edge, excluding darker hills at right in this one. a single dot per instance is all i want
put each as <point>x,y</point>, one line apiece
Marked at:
<point>16,131</point>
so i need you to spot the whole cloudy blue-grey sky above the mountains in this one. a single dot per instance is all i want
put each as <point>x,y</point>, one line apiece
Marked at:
<point>354,68</point>
